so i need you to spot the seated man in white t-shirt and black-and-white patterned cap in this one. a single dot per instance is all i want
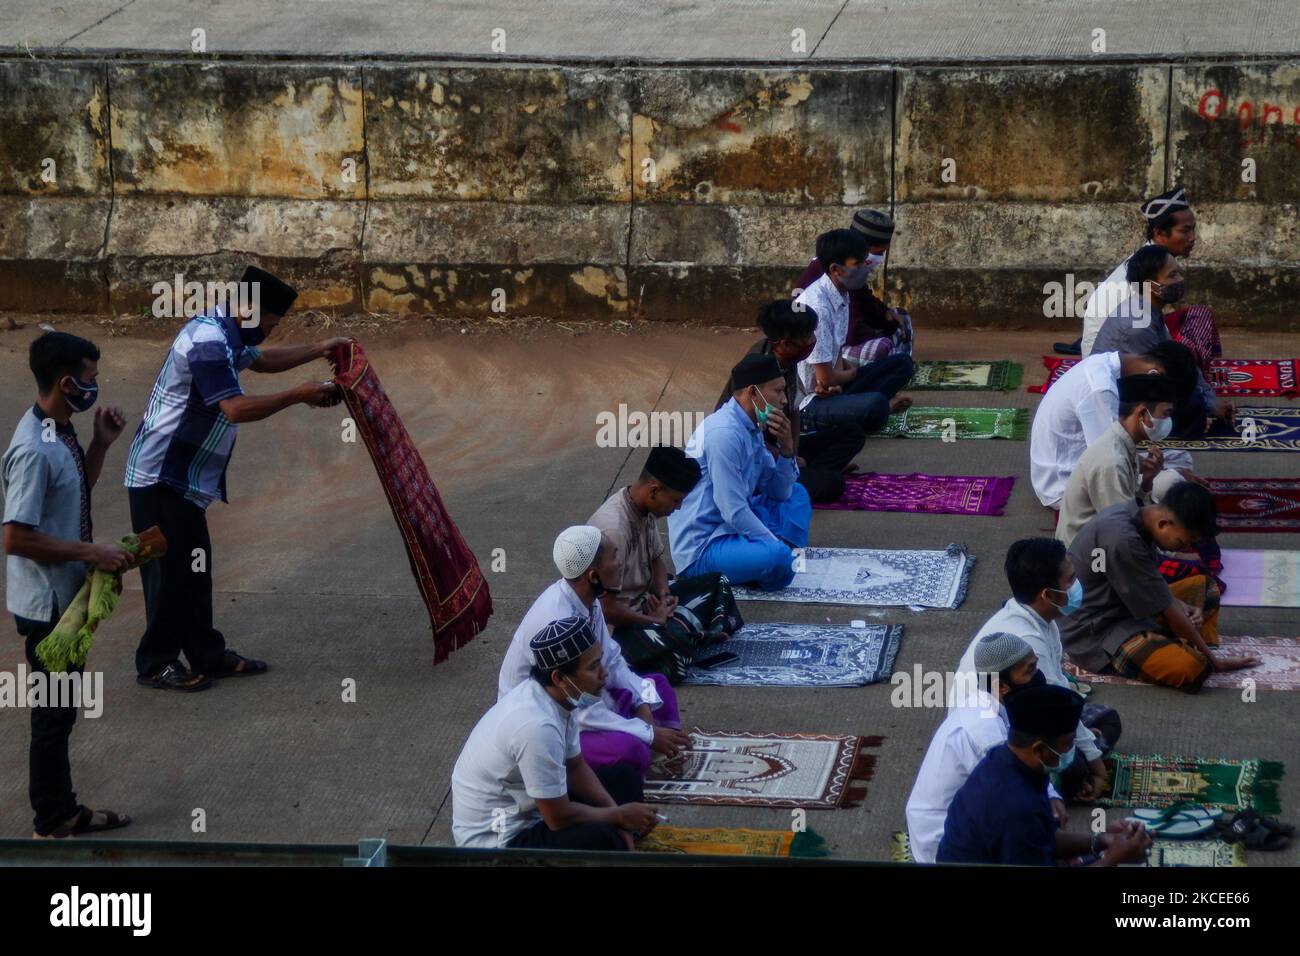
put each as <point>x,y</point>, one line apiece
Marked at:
<point>522,781</point>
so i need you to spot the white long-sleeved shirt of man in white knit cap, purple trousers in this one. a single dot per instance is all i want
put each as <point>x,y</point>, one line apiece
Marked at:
<point>554,604</point>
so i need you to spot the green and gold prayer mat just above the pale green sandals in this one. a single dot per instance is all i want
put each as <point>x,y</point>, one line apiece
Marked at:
<point>1160,781</point>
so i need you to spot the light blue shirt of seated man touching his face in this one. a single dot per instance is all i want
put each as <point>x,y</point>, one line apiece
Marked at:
<point>735,465</point>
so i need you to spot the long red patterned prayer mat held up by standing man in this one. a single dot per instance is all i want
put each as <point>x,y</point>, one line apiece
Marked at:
<point>447,570</point>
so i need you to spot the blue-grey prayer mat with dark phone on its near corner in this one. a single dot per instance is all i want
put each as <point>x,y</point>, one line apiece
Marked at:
<point>804,656</point>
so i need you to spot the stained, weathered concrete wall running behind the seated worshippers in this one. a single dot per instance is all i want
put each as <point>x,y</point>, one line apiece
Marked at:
<point>671,193</point>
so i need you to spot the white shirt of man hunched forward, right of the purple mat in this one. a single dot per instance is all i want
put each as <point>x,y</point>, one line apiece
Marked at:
<point>1073,414</point>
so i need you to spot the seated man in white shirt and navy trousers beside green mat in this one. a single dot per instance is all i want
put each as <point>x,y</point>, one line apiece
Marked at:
<point>831,391</point>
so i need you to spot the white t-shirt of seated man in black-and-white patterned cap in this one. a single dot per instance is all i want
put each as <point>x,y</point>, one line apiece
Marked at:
<point>514,758</point>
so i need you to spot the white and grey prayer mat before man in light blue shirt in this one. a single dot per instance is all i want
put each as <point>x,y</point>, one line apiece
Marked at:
<point>881,578</point>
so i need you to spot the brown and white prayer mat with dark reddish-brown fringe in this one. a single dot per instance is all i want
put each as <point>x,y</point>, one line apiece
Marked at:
<point>813,771</point>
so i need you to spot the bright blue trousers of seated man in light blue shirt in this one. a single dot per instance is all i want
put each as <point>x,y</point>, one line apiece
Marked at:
<point>769,565</point>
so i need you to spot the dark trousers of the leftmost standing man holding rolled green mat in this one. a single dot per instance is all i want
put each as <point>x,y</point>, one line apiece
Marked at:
<point>50,777</point>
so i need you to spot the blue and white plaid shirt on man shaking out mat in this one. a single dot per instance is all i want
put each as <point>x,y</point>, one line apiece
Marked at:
<point>184,440</point>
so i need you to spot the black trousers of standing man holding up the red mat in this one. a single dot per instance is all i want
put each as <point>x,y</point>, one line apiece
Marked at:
<point>177,598</point>
